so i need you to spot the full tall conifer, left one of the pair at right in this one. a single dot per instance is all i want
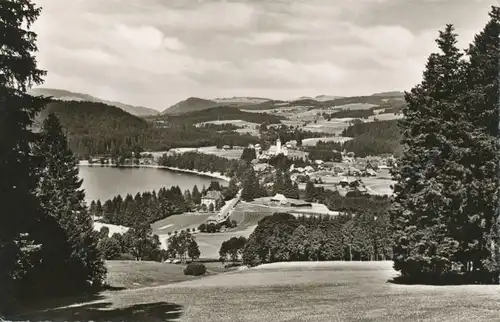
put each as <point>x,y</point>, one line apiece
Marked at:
<point>426,200</point>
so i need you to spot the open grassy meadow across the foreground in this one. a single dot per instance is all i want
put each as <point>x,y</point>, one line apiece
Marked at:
<point>327,291</point>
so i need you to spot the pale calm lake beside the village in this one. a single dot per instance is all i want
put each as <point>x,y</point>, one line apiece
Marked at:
<point>106,182</point>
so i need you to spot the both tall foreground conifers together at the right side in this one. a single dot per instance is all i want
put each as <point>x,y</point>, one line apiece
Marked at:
<point>444,212</point>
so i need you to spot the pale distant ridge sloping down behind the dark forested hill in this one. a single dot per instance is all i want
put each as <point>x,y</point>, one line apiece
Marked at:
<point>65,95</point>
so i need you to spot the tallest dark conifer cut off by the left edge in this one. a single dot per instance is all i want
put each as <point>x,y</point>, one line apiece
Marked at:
<point>20,209</point>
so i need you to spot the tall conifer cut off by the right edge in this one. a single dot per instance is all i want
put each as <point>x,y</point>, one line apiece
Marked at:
<point>481,238</point>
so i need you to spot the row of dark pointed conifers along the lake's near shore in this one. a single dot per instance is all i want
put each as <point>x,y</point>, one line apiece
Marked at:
<point>149,207</point>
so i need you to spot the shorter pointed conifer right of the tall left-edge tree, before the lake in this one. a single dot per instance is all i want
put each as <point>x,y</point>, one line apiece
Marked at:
<point>61,196</point>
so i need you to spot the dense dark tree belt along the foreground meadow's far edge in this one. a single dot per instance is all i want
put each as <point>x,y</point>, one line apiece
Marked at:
<point>282,237</point>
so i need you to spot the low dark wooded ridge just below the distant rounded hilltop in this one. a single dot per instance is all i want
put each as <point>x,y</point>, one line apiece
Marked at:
<point>223,113</point>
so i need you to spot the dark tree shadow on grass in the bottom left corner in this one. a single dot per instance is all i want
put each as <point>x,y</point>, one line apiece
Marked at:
<point>159,311</point>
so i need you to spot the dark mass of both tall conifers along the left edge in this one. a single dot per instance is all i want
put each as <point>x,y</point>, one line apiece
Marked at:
<point>38,251</point>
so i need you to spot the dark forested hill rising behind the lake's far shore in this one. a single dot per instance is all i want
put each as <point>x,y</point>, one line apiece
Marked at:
<point>98,129</point>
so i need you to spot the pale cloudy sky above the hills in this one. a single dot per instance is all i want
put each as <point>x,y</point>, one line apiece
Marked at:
<point>157,52</point>
